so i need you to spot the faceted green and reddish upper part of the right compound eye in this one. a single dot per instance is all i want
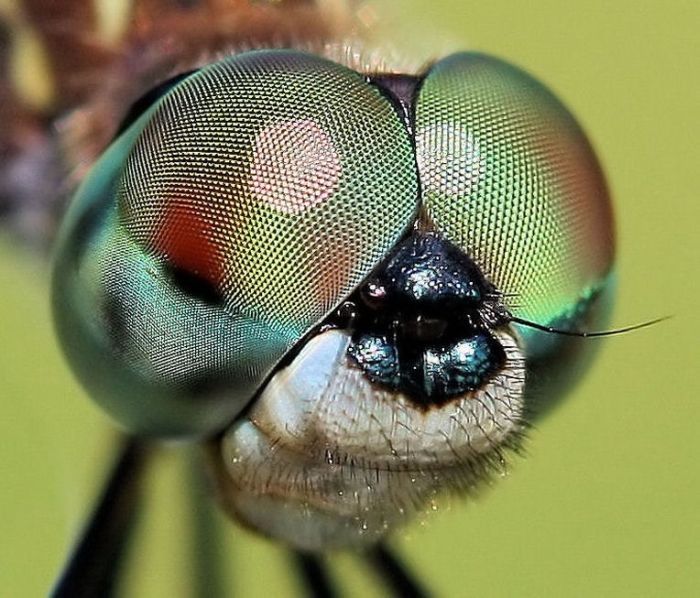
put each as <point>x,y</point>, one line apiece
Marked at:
<point>509,177</point>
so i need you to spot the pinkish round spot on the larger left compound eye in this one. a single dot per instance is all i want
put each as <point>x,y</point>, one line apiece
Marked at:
<point>295,166</point>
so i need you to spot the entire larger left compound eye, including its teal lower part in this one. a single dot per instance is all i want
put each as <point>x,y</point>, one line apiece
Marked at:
<point>221,227</point>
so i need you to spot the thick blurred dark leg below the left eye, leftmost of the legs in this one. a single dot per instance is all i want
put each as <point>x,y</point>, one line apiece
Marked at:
<point>93,568</point>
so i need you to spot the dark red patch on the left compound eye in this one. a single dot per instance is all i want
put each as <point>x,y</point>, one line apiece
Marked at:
<point>185,236</point>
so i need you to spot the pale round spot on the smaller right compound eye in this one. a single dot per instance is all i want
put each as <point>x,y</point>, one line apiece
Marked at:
<point>444,146</point>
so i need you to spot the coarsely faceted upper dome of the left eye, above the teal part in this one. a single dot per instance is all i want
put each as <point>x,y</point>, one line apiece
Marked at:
<point>278,177</point>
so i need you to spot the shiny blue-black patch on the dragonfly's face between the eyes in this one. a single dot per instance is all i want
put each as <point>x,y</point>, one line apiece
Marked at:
<point>423,322</point>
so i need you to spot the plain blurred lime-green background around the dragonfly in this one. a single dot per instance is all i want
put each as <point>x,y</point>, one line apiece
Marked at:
<point>606,502</point>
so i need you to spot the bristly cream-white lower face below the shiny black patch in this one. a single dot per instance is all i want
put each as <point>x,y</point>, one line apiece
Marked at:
<point>327,459</point>
